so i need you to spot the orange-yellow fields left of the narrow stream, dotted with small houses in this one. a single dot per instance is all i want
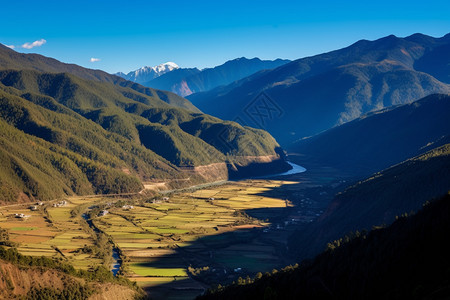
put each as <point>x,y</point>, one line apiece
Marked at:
<point>50,231</point>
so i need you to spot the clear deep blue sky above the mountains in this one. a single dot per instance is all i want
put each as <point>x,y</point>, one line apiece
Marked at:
<point>125,35</point>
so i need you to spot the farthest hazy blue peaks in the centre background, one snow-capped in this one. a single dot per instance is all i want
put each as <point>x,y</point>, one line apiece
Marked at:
<point>186,81</point>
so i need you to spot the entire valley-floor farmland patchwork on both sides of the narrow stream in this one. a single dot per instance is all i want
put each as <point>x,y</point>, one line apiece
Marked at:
<point>183,240</point>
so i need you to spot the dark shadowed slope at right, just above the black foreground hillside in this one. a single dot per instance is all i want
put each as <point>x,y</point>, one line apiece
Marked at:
<point>377,200</point>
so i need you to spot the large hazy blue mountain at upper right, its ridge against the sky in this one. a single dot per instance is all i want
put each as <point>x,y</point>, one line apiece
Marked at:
<point>312,94</point>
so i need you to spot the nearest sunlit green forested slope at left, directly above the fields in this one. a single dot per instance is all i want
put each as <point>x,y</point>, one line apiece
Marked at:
<point>45,155</point>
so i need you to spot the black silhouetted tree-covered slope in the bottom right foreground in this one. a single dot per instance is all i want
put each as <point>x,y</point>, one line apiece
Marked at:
<point>407,260</point>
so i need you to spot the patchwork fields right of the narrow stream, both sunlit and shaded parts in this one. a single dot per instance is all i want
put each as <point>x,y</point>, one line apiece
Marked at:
<point>168,238</point>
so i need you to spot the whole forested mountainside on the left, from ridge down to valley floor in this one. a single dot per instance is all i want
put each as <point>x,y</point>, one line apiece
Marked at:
<point>68,130</point>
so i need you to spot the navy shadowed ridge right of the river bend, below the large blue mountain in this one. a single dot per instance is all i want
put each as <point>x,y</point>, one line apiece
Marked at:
<point>380,139</point>
